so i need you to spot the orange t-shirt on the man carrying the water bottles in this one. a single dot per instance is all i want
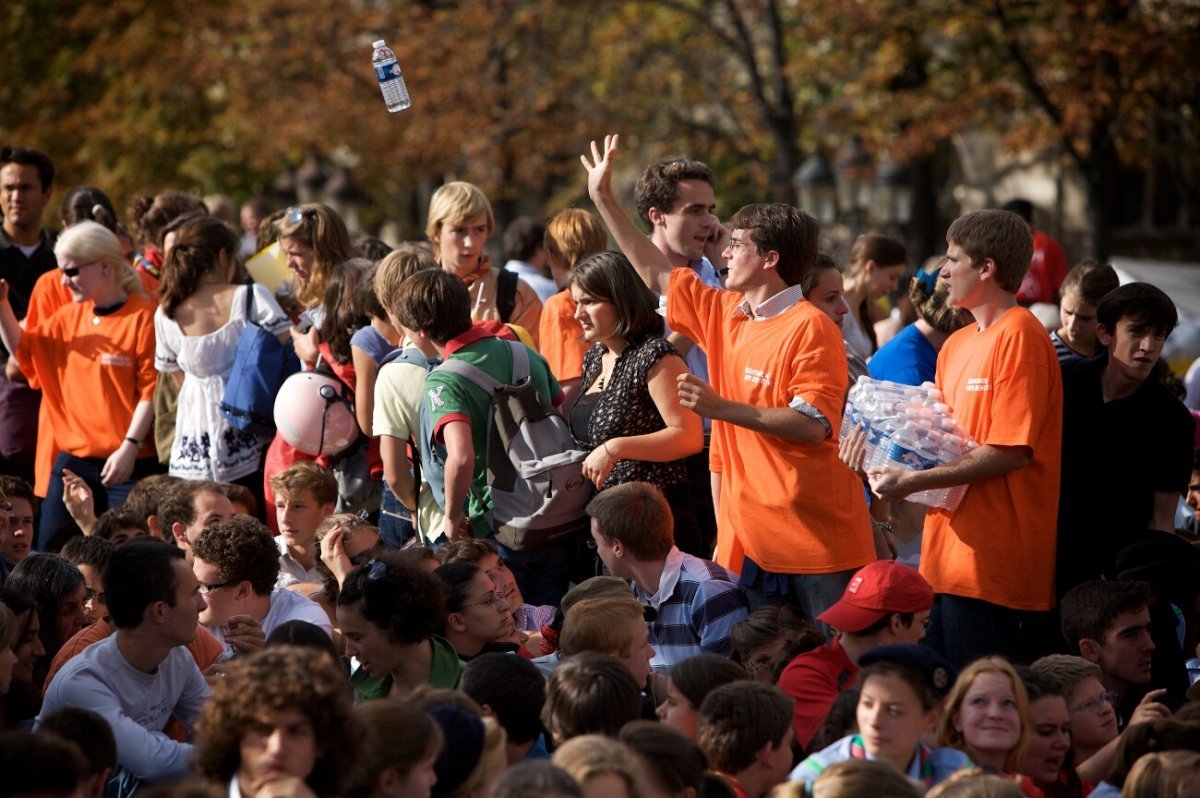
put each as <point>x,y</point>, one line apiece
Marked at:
<point>1005,389</point>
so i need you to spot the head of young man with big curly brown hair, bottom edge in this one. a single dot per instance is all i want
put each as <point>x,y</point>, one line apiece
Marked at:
<point>280,723</point>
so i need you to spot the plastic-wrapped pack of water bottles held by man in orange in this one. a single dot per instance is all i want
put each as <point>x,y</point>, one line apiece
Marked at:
<point>908,427</point>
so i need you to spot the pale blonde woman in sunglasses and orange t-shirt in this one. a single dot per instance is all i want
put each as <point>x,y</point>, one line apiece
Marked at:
<point>94,362</point>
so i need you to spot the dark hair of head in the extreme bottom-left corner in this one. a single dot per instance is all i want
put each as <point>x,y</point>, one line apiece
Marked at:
<point>34,764</point>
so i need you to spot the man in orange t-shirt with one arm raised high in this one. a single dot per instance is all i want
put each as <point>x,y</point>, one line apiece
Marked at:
<point>794,519</point>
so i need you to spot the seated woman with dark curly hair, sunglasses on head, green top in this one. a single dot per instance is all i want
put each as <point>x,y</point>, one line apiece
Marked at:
<point>389,611</point>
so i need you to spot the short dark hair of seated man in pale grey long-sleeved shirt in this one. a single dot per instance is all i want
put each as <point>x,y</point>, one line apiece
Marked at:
<point>140,574</point>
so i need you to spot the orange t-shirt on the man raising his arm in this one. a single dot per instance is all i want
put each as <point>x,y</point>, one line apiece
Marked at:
<point>793,508</point>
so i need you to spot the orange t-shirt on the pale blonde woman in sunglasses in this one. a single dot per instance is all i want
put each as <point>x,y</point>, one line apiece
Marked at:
<point>93,371</point>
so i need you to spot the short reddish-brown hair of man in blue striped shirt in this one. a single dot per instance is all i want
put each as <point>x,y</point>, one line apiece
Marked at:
<point>638,515</point>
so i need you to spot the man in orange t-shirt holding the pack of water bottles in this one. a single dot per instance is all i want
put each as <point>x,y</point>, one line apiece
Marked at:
<point>992,561</point>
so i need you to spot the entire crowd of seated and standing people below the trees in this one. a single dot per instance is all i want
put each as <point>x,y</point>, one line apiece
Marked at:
<point>739,602</point>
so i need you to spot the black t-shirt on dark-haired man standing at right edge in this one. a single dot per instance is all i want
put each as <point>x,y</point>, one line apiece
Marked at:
<point>1115,457</point>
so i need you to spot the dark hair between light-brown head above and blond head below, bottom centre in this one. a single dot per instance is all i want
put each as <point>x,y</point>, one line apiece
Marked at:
<point>591,694</point>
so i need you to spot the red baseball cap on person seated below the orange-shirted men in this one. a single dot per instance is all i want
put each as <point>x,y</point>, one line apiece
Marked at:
<point>879,590</point>
